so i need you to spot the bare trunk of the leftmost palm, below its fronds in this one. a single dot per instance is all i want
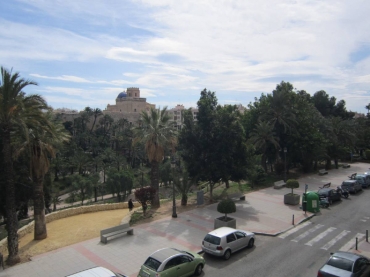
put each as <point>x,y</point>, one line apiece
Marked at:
<point>11,213</point>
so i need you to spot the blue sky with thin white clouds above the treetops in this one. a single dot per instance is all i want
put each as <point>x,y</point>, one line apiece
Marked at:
<point>84,53</point>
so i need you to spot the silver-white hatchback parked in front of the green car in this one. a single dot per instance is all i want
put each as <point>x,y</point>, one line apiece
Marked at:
<point>224,241</point>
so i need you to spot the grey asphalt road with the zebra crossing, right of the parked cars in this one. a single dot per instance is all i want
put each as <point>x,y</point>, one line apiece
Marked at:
<point>303,250</point>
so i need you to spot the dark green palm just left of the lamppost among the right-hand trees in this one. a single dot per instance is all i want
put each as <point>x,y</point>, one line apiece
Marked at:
<point>262,136</point>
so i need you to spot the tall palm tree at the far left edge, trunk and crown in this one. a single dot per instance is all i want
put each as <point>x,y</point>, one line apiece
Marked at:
<point>17,113</point>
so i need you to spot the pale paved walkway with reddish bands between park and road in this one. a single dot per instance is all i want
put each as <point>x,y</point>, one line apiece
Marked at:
<point>263,212</point>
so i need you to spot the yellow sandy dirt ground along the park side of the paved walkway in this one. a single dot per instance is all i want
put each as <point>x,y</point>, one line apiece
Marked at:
<point>74,229</point>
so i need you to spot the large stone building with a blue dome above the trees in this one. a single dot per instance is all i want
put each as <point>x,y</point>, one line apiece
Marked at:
<point>128,105</point>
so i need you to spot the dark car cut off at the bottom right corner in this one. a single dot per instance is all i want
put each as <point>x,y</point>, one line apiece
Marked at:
<point>344,264</point>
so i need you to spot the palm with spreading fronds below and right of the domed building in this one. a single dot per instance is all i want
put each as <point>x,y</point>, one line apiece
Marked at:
<point>157,133</point>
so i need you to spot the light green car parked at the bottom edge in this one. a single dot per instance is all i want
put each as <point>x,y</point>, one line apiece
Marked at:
<point>171,262</point>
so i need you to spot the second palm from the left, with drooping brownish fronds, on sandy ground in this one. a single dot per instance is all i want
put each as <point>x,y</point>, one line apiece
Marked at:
<point>41,146</point>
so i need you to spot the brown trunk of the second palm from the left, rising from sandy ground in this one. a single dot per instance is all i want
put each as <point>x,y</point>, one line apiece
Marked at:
<point>40,231</point>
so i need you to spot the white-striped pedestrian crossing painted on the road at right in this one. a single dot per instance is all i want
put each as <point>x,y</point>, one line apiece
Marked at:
<point>319,235</point>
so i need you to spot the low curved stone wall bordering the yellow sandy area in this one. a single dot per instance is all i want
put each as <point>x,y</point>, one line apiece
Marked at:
<point>62,214</point>
